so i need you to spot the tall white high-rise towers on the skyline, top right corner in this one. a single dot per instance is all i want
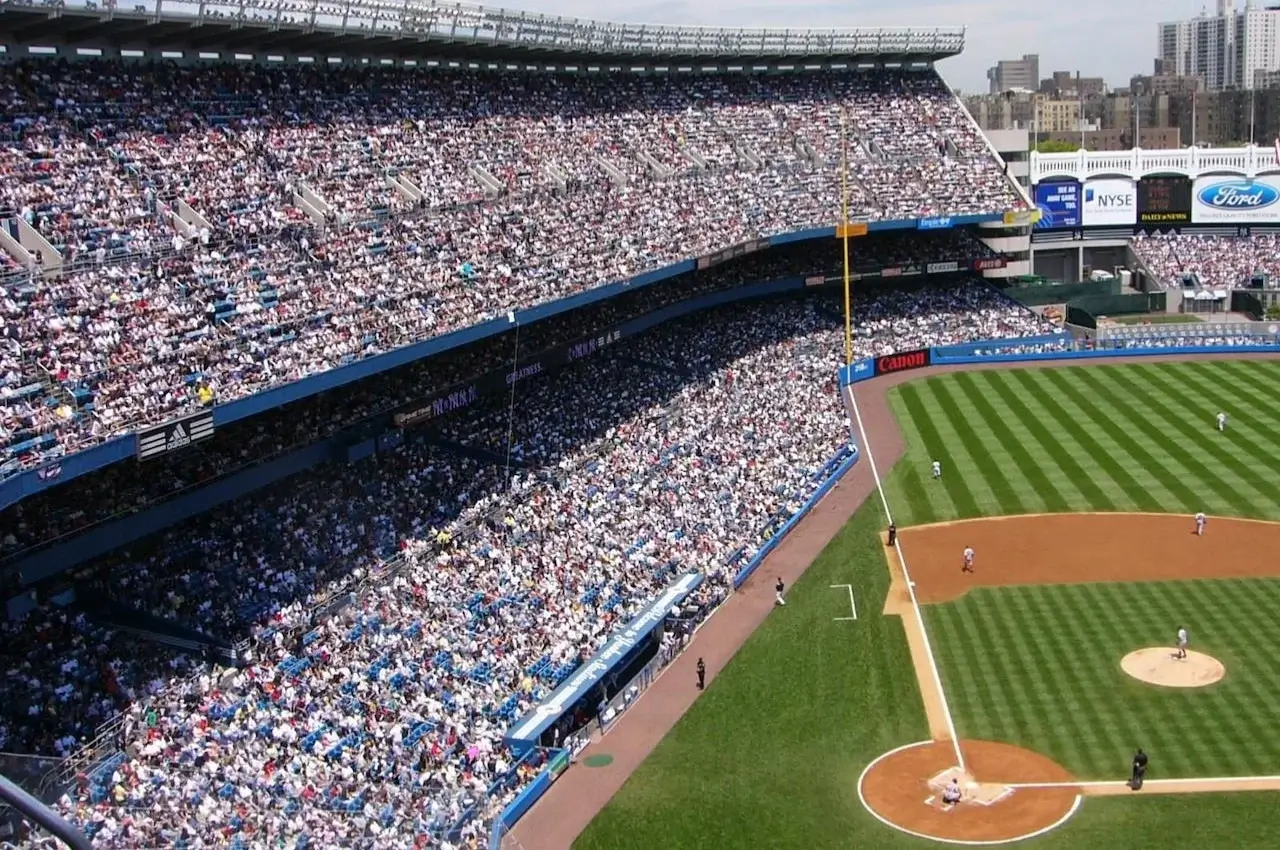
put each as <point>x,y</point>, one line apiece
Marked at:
<point>1231,51</point>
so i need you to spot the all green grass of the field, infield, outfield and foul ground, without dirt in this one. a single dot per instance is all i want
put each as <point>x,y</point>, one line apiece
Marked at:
<point>771,755</point>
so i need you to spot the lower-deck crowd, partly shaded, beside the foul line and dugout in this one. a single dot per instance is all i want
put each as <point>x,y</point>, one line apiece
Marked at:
<point>487,556</point>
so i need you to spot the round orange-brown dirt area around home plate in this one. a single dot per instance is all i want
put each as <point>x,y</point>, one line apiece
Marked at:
<point>904,790</point>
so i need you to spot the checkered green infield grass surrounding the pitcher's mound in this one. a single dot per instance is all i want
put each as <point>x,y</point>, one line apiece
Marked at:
<point>1040,666</point>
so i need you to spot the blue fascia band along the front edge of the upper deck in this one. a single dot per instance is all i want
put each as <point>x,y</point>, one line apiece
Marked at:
<point>26,483</point>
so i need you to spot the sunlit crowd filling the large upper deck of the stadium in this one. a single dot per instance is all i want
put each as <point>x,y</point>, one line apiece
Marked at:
<point>331,214</point>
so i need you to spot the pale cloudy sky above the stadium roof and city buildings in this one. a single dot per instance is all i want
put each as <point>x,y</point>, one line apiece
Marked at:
<point>1116,39</point>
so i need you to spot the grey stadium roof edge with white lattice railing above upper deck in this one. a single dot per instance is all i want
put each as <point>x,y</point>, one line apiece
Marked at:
<point>445,31</point>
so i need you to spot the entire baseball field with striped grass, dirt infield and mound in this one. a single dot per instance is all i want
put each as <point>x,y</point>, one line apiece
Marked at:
<point>1035,678</point>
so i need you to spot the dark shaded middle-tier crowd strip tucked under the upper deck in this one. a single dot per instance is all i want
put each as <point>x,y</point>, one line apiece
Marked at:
<point>126,488</point>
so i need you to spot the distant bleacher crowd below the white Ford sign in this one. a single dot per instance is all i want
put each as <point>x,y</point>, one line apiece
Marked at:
<point>1219,262</point>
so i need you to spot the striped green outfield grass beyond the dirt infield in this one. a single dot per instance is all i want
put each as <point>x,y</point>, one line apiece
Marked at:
<point>1101,438</point>
